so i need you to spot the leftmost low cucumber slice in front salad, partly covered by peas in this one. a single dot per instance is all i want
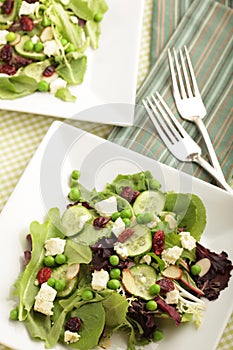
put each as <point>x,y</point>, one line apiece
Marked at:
<point>61,273</point>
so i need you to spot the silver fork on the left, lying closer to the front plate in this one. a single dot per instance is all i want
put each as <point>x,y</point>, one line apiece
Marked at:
<point>177,140</point>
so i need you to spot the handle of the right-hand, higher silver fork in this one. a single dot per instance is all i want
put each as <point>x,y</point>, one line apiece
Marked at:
<point>214,160</point>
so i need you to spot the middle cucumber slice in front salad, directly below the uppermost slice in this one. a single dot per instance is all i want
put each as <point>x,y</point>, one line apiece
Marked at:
<point>140,242</point>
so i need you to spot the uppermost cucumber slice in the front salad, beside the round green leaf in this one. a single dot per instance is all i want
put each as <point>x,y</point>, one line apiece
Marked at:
<point>149,201</point>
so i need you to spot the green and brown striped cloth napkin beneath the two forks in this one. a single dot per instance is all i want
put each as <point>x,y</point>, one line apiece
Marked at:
<point>206,29</point>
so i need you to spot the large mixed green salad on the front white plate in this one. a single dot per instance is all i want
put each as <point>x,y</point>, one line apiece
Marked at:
<point>117,260</point>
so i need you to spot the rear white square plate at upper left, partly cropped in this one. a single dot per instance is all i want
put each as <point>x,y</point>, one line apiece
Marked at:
<point>111,75</point>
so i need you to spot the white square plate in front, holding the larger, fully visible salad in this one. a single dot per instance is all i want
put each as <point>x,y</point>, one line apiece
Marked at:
<point>44,184</point>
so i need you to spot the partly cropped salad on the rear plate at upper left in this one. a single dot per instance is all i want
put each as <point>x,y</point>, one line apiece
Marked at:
<point>43,45</point>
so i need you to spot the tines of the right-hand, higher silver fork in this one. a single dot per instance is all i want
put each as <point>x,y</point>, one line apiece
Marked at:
<point>185,74</point>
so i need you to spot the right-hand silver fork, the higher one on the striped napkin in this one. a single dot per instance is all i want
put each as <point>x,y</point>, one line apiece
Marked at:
<point>188,99</point>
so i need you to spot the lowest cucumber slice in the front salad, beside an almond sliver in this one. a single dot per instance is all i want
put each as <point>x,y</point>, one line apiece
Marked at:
<point>139,279</point>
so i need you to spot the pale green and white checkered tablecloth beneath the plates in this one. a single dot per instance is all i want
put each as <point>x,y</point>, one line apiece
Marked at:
<point>22,133</point>
